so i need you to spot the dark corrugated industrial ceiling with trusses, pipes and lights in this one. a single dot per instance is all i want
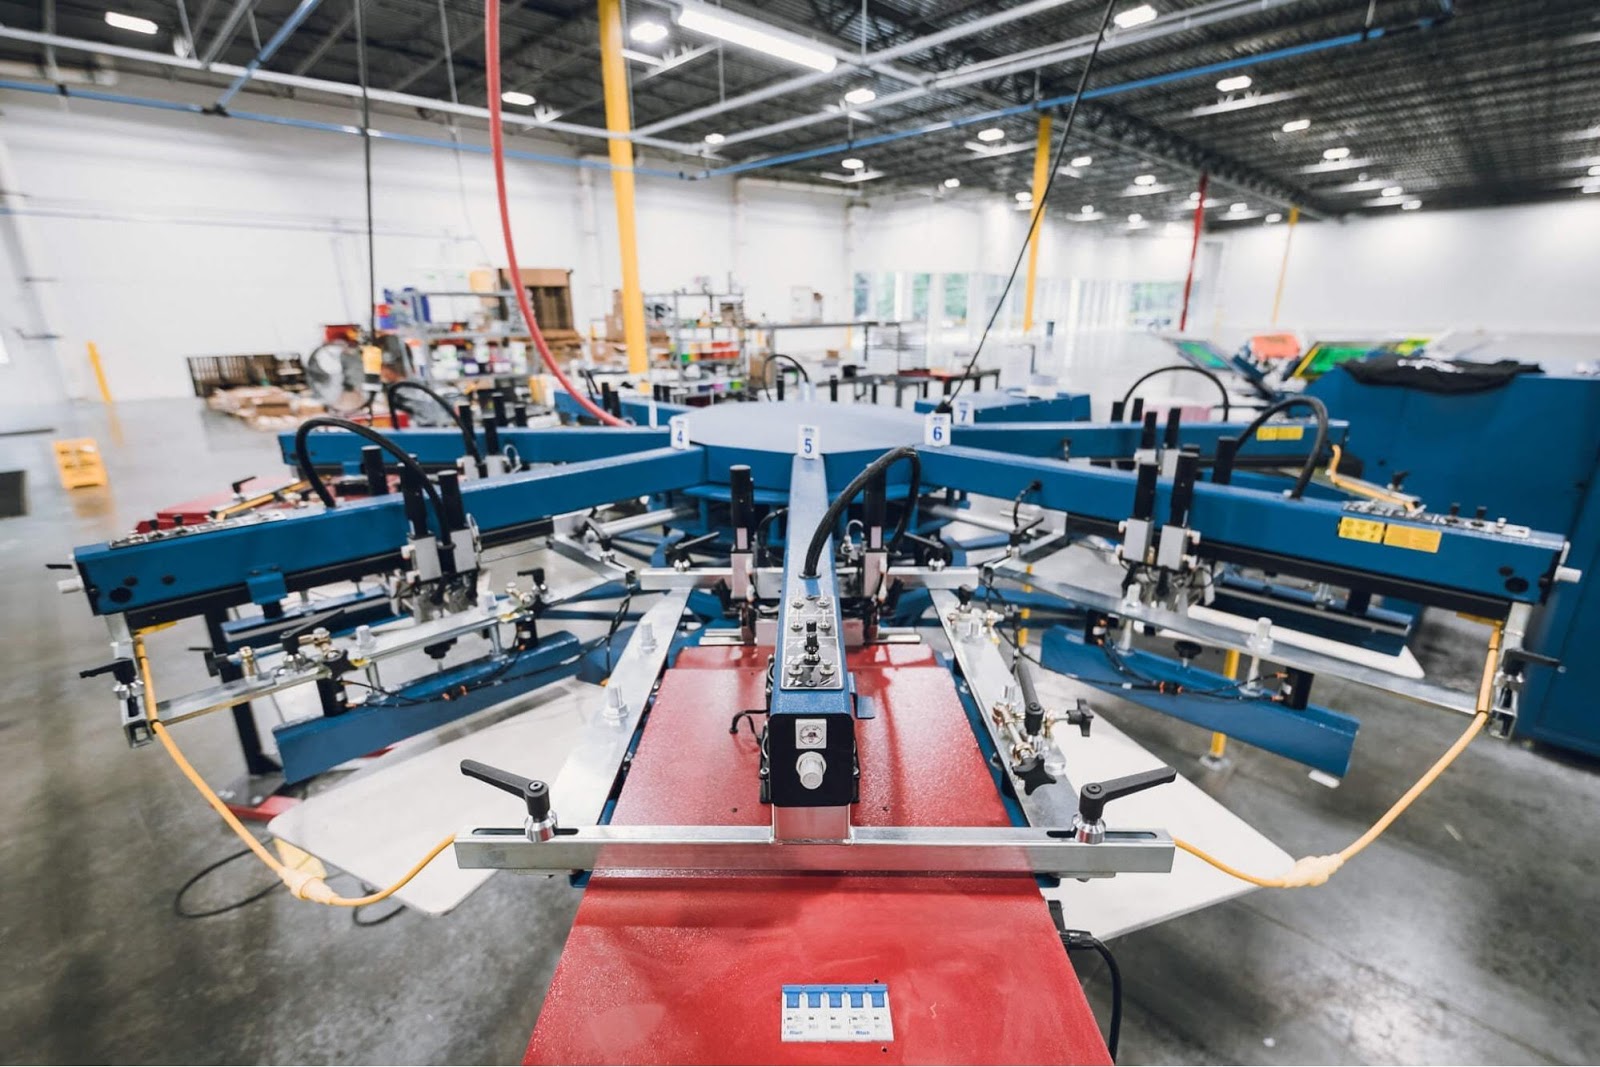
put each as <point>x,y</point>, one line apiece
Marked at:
<point>1338,106</point>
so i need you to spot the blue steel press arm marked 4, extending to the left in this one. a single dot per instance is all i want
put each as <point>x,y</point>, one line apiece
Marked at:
<point>257,557</point>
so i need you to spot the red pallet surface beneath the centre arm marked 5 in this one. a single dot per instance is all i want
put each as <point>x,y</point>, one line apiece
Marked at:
<point>690,969</point>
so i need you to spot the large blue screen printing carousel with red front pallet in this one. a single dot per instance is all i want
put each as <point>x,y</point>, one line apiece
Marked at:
<point>809,821</point>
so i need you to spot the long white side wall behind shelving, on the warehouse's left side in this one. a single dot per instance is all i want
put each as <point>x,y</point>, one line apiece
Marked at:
<point>162,236</point>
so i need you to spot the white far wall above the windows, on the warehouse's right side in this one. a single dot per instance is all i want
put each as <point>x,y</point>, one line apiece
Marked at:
<point>1519,270</point>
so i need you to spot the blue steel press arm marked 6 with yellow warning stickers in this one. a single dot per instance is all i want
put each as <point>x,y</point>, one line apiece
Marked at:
<point>1303,535</point>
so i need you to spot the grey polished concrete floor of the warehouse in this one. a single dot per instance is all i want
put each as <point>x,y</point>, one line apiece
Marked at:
<point>1462,938</point>
